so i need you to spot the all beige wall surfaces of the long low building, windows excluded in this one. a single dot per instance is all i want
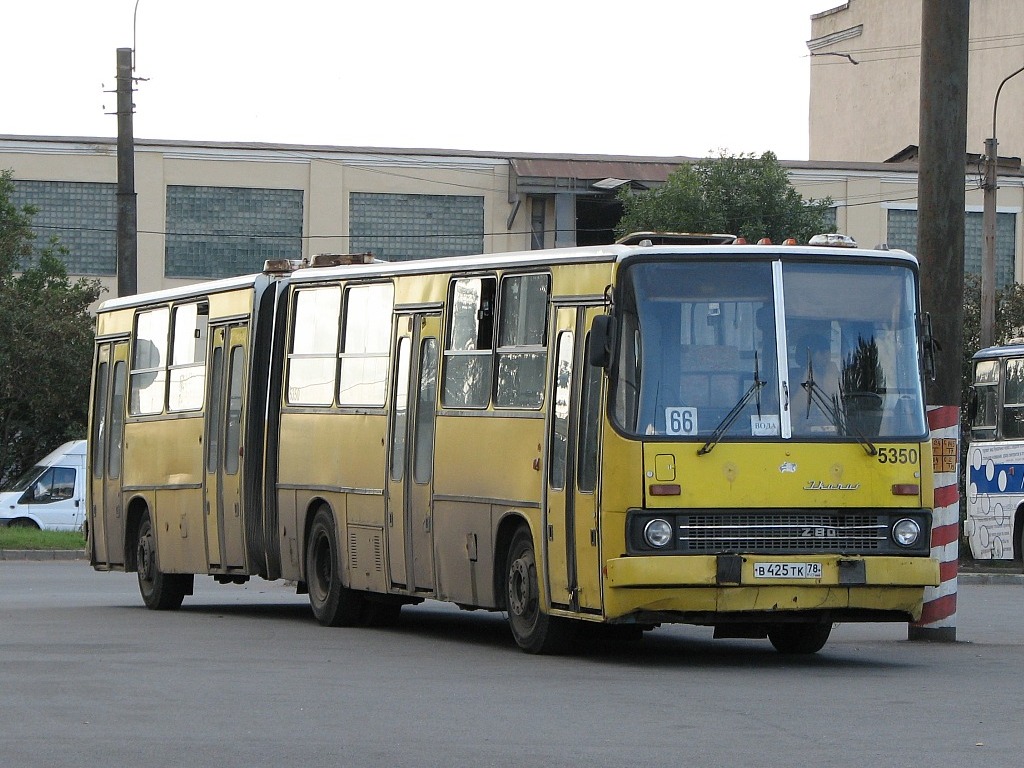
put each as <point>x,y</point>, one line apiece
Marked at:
<point>864,193</point>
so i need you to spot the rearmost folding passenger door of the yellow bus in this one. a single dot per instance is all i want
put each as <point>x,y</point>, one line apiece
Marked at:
<point>107,444</point>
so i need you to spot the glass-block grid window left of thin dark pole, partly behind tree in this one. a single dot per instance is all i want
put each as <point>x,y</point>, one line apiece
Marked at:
<point>82,215</point>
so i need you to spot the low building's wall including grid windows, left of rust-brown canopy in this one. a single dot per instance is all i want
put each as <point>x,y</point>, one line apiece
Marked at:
<point>210,210</point>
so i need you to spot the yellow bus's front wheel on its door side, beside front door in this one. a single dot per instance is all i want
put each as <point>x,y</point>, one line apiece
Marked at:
<point>535,631</point>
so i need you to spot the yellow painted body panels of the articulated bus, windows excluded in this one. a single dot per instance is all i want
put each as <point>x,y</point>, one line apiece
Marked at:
<point>491,465</point>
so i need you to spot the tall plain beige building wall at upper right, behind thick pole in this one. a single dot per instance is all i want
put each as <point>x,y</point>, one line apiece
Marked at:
<point>870,111</point>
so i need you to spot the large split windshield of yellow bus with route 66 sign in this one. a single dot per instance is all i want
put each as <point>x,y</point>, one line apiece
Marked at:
<point>769,351</point>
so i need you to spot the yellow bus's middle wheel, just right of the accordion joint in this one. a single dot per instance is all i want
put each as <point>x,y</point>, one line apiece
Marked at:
<point>333,604</point>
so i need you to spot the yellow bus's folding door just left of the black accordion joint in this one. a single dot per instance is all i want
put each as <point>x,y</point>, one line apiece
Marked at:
<point>225,535</point>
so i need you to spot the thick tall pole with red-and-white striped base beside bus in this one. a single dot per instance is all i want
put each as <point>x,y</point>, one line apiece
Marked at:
<point>941,248</point>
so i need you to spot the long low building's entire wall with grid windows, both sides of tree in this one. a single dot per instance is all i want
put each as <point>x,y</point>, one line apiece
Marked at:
<point>425,204</point>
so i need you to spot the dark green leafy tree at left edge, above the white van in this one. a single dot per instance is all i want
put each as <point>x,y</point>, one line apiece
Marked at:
<point>46,345</point>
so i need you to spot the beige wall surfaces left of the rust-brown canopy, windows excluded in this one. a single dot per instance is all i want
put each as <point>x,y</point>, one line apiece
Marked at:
<point>325,177</point>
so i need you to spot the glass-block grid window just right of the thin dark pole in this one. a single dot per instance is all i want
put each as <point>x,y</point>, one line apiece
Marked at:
<point>221,232</point>
